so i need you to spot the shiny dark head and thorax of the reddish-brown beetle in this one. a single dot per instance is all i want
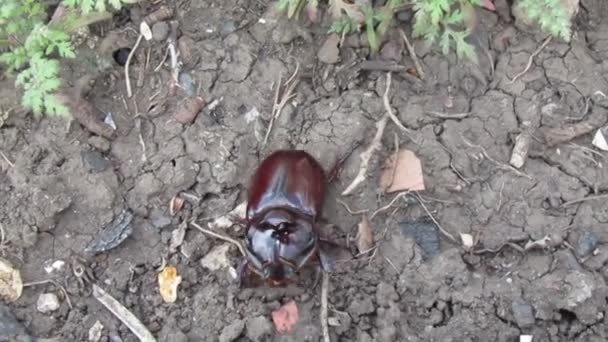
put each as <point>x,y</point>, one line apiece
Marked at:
<point>279,244</point>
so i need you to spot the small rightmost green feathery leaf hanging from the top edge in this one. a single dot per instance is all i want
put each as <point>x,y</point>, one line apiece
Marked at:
<point>551,15</point>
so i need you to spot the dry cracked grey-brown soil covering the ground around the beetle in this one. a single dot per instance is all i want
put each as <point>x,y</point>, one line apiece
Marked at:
<point>62,187</point>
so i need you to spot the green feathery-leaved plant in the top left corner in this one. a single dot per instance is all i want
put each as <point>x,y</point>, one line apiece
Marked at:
<point>31,47</point>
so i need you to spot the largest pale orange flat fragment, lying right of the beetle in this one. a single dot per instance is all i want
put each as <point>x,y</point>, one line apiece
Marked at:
<point>402,171</point>
